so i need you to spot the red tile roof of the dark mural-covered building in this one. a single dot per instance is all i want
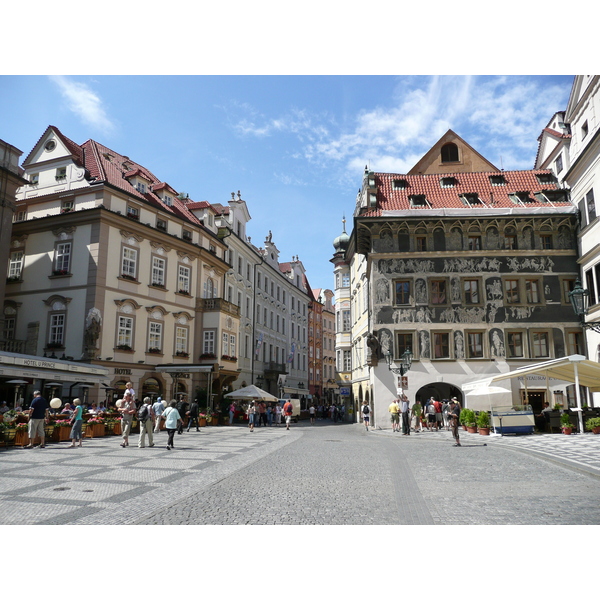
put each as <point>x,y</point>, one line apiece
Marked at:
<point>491,196</point>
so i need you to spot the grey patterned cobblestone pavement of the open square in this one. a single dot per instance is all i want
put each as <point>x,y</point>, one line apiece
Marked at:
<point>323,474</point>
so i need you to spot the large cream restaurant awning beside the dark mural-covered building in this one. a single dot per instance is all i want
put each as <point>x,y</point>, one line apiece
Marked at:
<point>573,369</point>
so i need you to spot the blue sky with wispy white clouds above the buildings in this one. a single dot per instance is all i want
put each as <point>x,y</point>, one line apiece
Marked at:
<point>295,146</point>
